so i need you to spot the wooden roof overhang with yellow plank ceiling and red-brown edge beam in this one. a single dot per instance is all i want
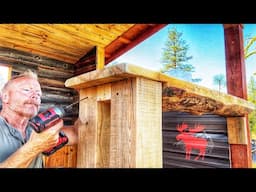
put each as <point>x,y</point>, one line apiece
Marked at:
<point>76,43</point>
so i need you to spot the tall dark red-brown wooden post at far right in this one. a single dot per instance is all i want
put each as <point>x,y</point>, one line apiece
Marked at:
<point>236,85</point>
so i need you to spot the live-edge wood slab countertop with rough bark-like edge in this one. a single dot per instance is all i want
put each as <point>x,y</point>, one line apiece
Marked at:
<point>177,95</point>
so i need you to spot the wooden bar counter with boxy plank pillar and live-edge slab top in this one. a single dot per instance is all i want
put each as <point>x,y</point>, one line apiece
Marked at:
<point>121,119</point>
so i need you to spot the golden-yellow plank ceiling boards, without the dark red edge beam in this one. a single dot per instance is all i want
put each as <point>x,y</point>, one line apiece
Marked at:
<point>64,42</point>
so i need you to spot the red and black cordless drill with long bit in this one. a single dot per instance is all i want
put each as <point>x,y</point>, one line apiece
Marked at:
<point>48,118</point>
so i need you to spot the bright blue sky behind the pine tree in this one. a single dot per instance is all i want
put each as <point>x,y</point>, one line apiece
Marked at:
<point>206,46</point>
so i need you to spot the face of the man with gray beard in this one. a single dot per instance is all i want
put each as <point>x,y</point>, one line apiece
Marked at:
<point>24,96</point>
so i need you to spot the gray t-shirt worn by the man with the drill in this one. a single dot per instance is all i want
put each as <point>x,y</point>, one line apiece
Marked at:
<point>11,140</point>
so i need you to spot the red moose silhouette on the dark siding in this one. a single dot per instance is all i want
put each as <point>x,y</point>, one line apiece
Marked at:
<point>191,141</point>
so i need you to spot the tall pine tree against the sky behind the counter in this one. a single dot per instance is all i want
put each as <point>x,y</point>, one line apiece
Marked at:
<point>174,57</point>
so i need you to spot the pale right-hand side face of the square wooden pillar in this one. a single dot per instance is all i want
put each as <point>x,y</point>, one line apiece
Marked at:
<point>148,123</point>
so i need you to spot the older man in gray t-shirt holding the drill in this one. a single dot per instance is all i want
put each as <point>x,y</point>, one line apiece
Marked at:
<point>20,145</point>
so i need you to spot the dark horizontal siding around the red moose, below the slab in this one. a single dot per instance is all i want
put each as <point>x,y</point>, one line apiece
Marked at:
<point>214,132</point>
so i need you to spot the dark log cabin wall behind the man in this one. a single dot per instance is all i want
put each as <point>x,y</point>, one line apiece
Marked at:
<point>52,75</point>
